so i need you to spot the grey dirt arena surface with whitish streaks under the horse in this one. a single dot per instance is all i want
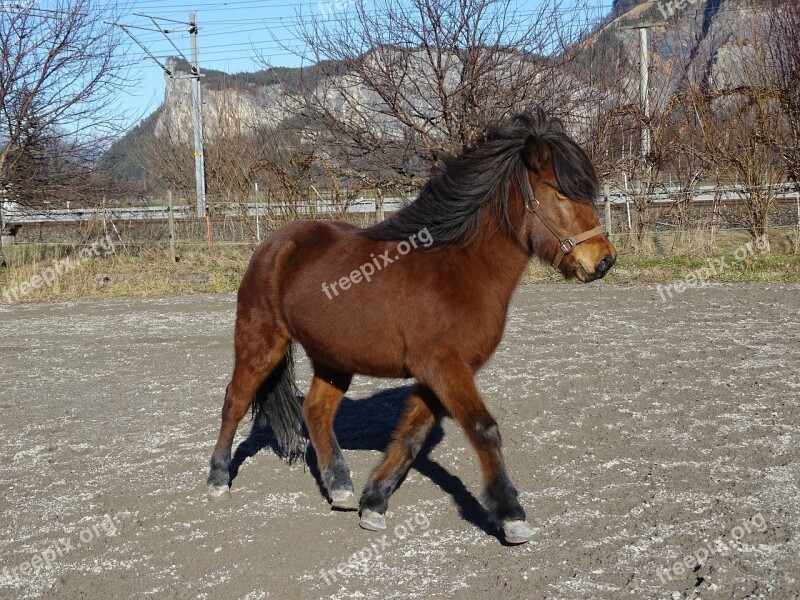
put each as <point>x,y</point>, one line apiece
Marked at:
<point>645,437</point>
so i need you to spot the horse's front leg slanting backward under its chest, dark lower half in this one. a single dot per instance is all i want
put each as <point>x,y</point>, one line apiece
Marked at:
<point>423,411</point>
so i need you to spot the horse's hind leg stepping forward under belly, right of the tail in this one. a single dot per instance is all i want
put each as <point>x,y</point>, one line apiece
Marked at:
<point>319,410</point>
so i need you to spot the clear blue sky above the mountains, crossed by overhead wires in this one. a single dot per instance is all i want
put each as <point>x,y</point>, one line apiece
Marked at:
<point>234,33</point>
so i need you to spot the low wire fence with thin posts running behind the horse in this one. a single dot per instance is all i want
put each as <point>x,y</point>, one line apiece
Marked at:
<point>694,228</point>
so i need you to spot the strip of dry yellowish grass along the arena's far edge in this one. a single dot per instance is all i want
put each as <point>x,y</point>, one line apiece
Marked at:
<point>148,271</point>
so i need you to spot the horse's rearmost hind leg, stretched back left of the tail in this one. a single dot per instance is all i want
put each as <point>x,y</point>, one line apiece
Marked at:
<point>254,361</point>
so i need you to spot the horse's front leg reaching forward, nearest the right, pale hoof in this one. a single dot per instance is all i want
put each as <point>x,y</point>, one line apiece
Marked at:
<point>452,381</point>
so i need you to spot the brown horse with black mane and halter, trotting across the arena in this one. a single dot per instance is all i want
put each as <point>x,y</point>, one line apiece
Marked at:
<point>423,294</point>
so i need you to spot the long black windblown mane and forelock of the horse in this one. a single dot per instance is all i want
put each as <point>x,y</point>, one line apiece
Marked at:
<point>452,202</point>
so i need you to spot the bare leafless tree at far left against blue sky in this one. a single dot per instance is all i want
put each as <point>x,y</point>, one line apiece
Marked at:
<point>61,69</point>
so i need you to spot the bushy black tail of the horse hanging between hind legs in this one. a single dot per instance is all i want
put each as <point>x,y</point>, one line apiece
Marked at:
<point>276,402</point>
